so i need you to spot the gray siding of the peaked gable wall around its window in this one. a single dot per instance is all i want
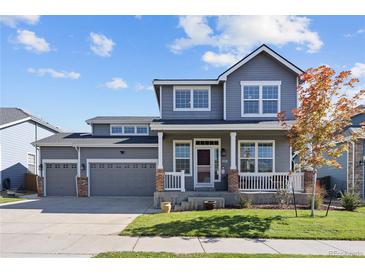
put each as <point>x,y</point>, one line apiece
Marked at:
<point>261,68</point>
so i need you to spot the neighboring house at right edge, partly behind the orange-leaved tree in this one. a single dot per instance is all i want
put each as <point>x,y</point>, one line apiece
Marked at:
<point>350,176</point>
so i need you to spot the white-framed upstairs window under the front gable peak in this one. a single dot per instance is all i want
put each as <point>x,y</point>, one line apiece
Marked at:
<point>260,98</point>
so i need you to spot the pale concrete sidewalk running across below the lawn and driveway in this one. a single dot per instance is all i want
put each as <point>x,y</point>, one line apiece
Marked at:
<point>89,245</point>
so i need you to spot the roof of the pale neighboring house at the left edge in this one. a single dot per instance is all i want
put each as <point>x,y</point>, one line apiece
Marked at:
<point>11,116</point>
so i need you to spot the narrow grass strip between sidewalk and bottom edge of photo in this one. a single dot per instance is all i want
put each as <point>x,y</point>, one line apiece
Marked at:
<point>129,254</point>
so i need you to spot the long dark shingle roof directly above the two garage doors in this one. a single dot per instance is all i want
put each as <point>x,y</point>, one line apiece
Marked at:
<point>85,139</point>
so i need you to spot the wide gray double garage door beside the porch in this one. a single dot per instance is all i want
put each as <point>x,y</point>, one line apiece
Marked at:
<point>122,179</point>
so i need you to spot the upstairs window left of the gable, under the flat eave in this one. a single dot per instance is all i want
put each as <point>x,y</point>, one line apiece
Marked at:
<point>191,98</point>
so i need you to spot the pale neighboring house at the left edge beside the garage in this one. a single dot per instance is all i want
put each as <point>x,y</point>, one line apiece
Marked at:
<point>18,130</point>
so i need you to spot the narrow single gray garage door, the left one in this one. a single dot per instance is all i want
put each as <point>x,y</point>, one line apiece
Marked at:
<point>61,179</point>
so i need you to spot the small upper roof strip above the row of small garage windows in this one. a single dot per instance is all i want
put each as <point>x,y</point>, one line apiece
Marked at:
<point>120,119</point>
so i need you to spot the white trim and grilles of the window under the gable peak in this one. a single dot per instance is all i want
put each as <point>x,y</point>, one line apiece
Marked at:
<point>260,84</point>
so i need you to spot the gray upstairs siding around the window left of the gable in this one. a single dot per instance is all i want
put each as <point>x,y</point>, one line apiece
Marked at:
<point>216,107</point>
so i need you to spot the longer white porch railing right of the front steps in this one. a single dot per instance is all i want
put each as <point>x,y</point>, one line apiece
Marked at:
<point>262,182</point>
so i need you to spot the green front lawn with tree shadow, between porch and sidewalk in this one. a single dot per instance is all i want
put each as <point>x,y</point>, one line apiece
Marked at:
<point>252,223</point>
